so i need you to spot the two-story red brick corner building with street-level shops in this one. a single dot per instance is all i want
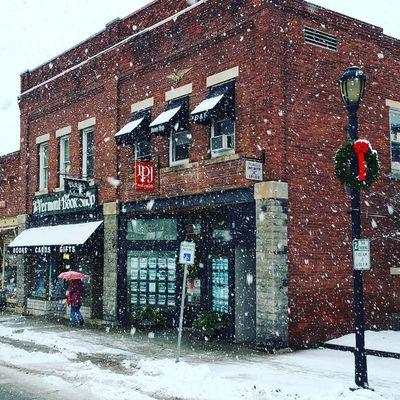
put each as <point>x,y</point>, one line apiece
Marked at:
<point>199,91</point>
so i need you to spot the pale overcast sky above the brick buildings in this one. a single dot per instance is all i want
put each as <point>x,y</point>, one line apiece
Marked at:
<point>34,31</point>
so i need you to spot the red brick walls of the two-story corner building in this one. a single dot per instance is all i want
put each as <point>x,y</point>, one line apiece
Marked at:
<point>288,104</point>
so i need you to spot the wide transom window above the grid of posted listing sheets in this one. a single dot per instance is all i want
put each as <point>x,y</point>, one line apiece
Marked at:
<point>152,229</point>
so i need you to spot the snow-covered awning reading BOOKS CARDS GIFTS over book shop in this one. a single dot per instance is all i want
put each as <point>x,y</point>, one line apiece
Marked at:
<point>49,239</point>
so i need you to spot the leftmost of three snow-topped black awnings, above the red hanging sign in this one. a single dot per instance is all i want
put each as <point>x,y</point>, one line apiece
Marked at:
<point>136,129</point>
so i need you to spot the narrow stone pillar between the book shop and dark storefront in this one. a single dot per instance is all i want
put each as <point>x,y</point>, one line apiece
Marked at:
<point>110,213</point>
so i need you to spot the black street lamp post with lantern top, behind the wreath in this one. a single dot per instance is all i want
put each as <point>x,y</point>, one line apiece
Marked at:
<point>352,85</point>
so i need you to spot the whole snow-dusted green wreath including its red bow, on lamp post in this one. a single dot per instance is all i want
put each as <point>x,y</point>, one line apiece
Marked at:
<point>367,162</point>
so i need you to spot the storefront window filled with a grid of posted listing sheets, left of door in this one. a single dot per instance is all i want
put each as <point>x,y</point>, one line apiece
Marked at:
<point>152,278</point>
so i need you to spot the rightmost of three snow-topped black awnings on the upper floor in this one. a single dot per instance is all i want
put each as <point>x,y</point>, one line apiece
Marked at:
<point>220,103</point>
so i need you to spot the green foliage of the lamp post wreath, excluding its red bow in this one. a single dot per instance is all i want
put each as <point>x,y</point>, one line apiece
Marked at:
<point>343,172</point>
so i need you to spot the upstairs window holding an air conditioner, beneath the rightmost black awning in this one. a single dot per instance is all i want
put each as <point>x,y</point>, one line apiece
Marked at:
<point>223,136</point>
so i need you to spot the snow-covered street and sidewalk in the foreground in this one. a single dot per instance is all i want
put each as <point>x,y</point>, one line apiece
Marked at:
<point>56,362</point>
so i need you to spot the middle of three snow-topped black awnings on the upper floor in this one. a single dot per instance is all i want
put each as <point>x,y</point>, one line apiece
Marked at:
<point>175,116</point>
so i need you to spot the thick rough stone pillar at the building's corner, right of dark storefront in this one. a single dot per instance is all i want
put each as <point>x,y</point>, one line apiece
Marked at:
<point>271,264</point>
